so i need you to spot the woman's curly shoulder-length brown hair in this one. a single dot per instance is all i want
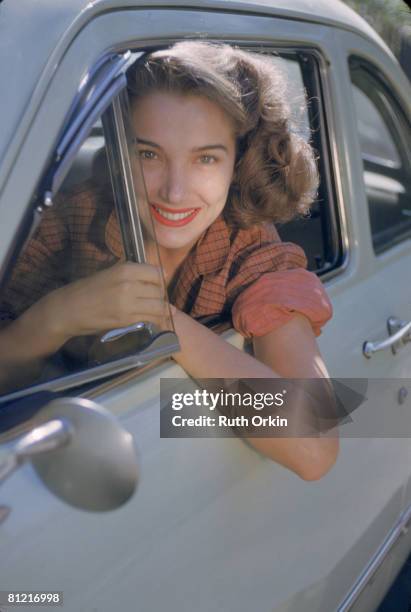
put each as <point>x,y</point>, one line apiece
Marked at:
<point>275,175</point>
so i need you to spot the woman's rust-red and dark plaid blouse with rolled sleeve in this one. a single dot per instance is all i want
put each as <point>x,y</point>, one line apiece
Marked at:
<point>248,274</point>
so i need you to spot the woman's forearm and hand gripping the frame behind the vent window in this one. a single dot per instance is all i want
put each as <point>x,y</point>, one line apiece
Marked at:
<point>115,297</point>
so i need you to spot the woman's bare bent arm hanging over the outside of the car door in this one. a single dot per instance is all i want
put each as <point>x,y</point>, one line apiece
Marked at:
<point>290,351</point>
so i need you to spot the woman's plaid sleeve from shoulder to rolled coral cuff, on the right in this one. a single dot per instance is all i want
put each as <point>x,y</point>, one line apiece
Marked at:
<point>271,283</point>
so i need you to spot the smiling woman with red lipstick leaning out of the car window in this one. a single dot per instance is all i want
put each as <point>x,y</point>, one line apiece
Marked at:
<point>219,160</point>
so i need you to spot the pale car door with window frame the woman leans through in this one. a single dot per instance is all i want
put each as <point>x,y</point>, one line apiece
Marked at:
<point>206,511</point>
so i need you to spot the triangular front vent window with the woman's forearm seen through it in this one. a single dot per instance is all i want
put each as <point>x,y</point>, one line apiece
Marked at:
<point>76,247</point>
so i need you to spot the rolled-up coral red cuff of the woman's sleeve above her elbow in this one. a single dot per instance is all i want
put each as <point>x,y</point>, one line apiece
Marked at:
<point>275,297</point>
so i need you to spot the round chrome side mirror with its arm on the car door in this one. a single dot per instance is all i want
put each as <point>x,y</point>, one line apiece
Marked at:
<point>81,453</point>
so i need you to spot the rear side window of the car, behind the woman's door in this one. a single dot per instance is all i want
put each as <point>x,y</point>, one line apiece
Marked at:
<point>385,140</point>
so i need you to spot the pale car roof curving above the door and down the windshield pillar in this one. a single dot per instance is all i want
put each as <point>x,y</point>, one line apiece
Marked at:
<point>34,35</point>
